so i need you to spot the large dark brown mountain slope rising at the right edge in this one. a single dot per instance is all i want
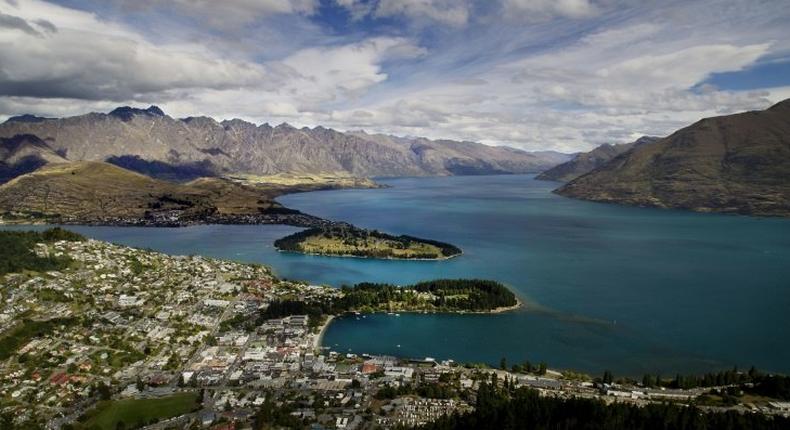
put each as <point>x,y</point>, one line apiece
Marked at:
<point>736,163</point>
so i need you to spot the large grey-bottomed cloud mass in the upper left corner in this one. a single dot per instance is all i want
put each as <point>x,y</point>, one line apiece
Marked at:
<point>90,59</point>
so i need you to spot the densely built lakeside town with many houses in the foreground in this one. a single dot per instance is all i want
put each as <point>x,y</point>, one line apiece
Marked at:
<point>129,338</point>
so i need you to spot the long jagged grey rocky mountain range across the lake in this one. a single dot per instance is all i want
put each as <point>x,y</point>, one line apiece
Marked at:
<point>149,141</point>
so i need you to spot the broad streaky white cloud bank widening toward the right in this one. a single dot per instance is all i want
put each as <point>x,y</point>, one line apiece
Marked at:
<point>572,98</point>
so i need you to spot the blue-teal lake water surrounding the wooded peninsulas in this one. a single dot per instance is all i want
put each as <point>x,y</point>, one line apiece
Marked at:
<point>607,287</point>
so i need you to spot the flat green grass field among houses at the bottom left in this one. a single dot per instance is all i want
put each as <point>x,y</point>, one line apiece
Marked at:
<point>134,413</point>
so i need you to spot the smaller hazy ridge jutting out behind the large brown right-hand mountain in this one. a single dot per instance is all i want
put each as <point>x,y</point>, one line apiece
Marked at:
<point>588,161</point>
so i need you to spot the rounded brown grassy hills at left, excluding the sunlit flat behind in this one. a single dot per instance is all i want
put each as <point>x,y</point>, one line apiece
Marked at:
<point>93,191</point>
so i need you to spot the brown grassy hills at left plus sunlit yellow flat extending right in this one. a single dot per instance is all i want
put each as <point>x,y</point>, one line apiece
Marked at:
<point>96,192</point>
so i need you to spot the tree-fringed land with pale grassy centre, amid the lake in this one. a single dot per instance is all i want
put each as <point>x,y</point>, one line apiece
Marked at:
<point>345,240</point>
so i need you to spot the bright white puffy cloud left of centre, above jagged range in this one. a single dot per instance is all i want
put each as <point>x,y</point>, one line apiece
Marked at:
<point>309,82</point>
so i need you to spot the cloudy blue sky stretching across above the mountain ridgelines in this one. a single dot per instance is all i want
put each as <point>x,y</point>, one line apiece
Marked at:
<point>562,75</point>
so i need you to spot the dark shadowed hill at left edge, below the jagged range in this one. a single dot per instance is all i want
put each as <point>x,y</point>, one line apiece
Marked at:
<point>24,153</point>
